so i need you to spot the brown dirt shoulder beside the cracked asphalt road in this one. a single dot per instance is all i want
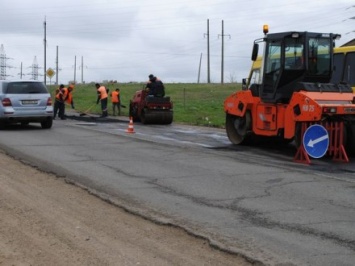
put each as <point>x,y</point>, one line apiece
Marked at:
<point>45,221</point>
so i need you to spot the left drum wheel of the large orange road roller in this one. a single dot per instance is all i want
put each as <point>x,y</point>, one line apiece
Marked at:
<point>238,128</point>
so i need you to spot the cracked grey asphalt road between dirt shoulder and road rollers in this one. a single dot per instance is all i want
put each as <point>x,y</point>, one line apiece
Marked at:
<point>254,201</point>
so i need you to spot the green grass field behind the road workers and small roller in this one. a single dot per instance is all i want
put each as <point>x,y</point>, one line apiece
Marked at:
<point>194,104</point>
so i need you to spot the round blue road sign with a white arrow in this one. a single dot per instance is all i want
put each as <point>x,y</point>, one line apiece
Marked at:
<point>316,141</point>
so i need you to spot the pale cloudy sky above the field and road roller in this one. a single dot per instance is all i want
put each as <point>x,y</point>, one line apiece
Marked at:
<point>126,40</point>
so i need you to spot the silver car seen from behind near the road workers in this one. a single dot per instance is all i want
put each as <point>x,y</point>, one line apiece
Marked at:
<point>25,102</point>
